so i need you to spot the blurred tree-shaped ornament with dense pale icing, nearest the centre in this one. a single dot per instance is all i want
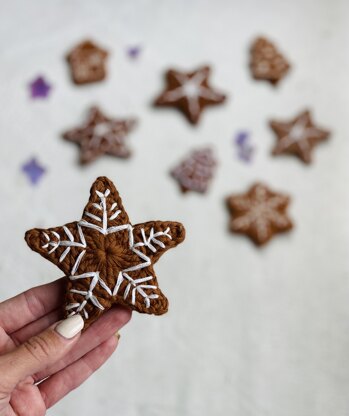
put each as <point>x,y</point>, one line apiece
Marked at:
<point>196,172</point>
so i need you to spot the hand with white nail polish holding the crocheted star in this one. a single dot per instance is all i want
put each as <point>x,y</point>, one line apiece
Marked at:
<point>42,361</point>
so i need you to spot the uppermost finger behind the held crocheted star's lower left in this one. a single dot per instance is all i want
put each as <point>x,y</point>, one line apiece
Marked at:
<point>30,305</point>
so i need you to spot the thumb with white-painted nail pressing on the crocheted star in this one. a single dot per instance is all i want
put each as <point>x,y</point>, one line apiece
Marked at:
<point>39,352</point>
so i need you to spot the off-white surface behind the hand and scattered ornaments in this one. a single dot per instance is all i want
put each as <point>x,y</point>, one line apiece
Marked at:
<point>249,333</point>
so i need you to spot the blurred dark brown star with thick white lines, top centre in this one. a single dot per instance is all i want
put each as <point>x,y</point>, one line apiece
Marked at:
<point>190,92</point>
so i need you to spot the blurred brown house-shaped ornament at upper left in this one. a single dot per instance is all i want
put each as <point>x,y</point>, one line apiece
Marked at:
<point>87,63</point>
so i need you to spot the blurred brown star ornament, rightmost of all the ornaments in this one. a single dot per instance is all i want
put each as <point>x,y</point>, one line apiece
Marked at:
<point>298,136</point>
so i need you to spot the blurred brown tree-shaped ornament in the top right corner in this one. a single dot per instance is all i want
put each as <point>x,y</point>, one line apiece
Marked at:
<point>267,63</point>
